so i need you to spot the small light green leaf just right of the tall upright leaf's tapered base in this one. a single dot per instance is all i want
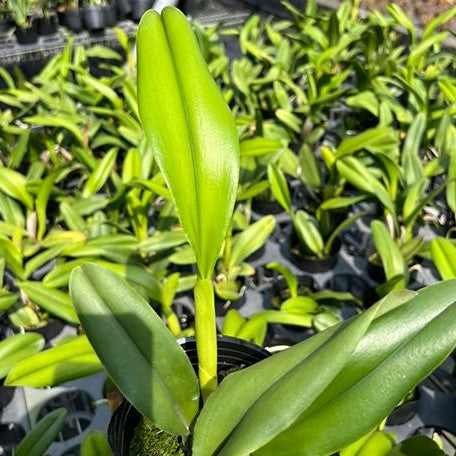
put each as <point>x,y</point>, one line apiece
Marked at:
<point>250,240</point>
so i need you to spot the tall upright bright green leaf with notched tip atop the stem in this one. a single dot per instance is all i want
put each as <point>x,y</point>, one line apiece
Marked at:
<point>190,129</point>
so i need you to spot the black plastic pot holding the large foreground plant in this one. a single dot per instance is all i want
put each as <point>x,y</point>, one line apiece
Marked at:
<point>232,354</point>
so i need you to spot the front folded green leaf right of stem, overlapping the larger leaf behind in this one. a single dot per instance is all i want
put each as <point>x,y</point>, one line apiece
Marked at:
<point>286,391</point>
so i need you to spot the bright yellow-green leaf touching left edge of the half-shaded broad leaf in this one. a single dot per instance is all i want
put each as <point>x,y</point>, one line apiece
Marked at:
<point>59,364</point>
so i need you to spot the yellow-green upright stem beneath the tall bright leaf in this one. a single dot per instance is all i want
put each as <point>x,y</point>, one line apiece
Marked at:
<point>206,336</point>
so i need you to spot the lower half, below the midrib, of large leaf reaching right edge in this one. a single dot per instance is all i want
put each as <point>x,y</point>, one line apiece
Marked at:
<point>385,386</point>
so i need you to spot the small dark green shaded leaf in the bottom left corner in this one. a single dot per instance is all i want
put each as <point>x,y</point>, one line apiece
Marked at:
<point>40,438</point>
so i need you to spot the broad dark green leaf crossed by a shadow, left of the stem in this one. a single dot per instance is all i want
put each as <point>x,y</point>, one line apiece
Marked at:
<point>136,348</point>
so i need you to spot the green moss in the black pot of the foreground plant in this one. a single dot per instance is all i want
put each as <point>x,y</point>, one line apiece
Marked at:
<point>148,440</point>
